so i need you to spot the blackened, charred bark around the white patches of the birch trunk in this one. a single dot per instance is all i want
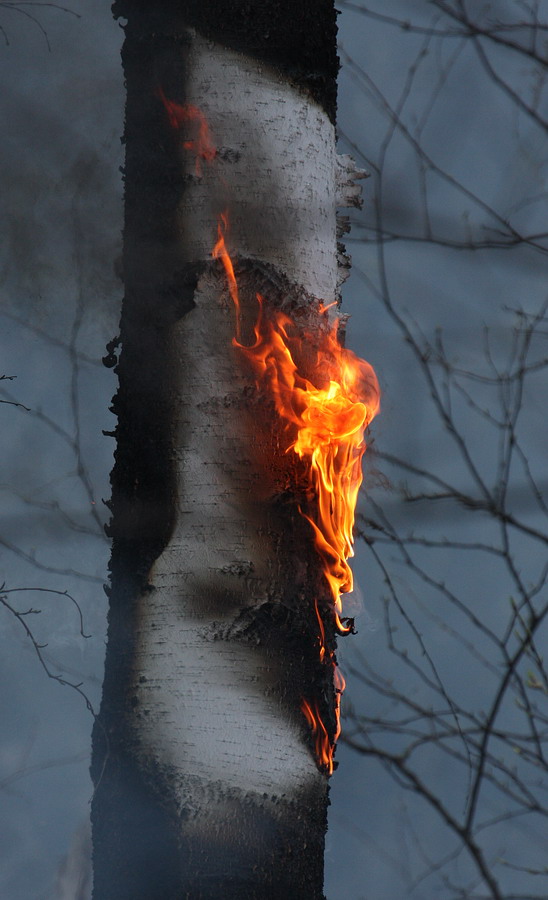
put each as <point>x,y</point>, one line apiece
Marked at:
<point>149,840</point>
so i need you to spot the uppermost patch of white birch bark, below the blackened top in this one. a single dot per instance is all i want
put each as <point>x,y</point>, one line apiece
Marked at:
<point>275,170</point>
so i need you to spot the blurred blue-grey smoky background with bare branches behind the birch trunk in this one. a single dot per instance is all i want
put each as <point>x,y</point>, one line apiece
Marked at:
<point>441,787</point>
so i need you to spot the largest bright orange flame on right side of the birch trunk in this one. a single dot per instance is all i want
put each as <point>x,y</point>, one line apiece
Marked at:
<point>327,418</point>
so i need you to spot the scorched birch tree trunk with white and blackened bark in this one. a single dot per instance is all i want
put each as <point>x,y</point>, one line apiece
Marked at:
<point>206,779</point>
